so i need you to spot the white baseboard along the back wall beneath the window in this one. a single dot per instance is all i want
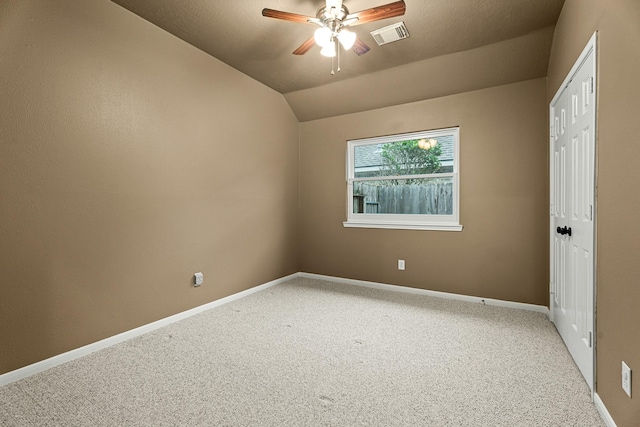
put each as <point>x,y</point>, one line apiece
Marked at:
<point>488,301</point>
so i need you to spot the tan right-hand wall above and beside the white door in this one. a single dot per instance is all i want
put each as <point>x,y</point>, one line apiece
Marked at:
<point>618,202</point>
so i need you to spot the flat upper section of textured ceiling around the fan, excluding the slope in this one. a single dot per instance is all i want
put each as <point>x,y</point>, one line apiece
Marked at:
<point>236,33</point>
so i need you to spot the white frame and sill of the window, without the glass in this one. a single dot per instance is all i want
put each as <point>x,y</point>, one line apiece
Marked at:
<point>405,221</point>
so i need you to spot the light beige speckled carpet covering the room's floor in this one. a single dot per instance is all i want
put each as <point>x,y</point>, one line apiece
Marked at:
<point>315,353</point>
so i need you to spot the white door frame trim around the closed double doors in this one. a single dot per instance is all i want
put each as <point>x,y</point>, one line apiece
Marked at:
<point>590,48</point>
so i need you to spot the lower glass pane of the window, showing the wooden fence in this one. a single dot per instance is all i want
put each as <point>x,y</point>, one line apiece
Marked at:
<point>426,196</point>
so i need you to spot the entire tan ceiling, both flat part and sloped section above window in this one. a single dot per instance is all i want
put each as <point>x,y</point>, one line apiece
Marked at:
<point>454,45</point>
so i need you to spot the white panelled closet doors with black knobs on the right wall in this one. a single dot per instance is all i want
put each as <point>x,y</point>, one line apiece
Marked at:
<point>572,114</point>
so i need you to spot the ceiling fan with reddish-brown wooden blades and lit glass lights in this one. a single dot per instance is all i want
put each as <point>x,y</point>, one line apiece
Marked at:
<point>333,20</point>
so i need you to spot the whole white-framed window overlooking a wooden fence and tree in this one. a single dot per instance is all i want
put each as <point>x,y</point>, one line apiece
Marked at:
<point>407,181</point>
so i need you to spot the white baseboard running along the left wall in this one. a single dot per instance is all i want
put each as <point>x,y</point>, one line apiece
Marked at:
<point>43,365</point>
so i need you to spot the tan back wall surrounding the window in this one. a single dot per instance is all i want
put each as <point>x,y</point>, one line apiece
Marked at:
<point>502,251</point>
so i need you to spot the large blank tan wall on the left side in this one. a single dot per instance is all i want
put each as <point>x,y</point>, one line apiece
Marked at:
<point>128,161</point>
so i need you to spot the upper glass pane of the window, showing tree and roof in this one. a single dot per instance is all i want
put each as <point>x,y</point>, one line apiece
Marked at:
<point>410,157</point>
